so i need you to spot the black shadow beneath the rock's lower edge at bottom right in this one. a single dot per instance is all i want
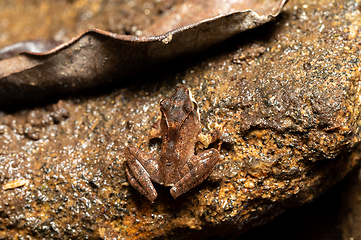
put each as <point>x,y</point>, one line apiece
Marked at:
<point>317,220</point>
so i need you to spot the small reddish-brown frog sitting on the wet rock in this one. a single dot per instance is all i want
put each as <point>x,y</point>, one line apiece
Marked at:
<point>178,167</point>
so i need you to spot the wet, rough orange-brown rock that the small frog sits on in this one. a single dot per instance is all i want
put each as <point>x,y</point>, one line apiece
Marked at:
<point>289,92</point>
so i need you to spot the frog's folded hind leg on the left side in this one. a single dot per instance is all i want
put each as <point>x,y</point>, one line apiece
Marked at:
<point>141,168</point>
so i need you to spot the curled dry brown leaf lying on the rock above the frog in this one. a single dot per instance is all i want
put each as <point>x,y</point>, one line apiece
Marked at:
<point>96,57</point>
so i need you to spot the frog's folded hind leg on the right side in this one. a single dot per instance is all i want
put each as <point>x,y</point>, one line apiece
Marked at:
<point>200,166</point>
